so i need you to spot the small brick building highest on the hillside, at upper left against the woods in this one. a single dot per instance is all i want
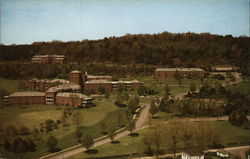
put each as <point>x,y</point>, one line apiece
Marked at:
<point>49,59</point>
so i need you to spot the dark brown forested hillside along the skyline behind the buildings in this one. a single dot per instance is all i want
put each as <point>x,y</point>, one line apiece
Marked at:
<point>165,49</point>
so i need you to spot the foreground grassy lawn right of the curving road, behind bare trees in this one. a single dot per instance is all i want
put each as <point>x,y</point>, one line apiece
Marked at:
<point>129,145</point>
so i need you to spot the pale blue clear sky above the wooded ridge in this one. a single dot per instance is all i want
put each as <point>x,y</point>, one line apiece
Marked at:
<point>28,21</point>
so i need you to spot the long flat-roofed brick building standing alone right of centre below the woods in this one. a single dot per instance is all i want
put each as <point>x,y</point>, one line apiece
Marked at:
<point>169,73</point>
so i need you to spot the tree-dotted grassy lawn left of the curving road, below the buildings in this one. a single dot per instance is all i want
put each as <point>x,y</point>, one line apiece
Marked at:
<point>32,115</point>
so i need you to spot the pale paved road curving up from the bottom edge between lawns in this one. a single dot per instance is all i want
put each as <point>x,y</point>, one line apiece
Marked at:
<point>140,124</point>
